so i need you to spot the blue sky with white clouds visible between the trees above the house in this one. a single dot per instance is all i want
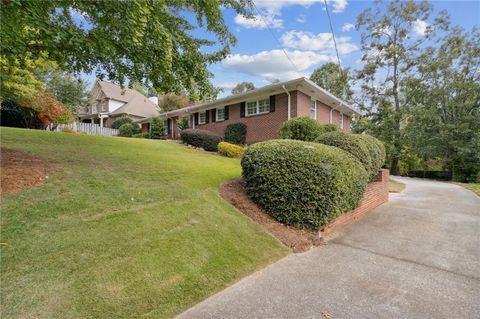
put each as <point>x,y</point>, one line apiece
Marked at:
<point>301,28</point>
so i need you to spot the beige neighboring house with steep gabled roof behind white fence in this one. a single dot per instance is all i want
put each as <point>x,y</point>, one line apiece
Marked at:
<point>109,101</point>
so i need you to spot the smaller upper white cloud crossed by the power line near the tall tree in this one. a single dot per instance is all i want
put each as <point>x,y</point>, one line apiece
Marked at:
<point>317,42</point>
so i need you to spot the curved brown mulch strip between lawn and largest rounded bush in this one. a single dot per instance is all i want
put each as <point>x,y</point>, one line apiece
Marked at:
<point>298,240</point>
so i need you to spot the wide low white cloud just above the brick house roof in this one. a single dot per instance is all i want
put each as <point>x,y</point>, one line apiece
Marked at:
<point>274,64</point>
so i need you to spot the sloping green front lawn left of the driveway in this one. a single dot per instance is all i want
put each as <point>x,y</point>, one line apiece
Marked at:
<point>123,228</point>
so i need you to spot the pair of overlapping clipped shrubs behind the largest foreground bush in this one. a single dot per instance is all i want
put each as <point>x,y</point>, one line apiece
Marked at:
<point>369,151</point>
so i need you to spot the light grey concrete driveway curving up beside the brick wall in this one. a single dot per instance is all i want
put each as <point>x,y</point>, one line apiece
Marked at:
<point>416,257</point>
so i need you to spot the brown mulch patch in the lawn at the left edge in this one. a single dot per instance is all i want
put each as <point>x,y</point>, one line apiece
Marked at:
<point>20,170</point>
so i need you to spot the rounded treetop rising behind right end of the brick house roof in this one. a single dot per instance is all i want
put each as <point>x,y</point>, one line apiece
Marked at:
<point>334,79</point>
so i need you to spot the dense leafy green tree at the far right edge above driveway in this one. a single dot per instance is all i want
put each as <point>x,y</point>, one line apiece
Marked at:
<point>445,122</point>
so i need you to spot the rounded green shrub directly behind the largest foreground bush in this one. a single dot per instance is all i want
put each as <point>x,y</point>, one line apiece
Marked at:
<point>350,143</point>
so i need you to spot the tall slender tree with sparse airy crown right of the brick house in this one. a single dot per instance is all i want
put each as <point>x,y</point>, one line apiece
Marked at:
<point>390,54</point>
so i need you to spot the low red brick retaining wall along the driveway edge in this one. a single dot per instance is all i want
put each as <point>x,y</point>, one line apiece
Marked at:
<point>376,194</point>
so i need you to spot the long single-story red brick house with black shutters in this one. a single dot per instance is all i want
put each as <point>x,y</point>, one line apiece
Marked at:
<point>263,110</point>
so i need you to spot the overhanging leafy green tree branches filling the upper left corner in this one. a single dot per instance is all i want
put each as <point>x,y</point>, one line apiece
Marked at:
<point>146,41</point>
